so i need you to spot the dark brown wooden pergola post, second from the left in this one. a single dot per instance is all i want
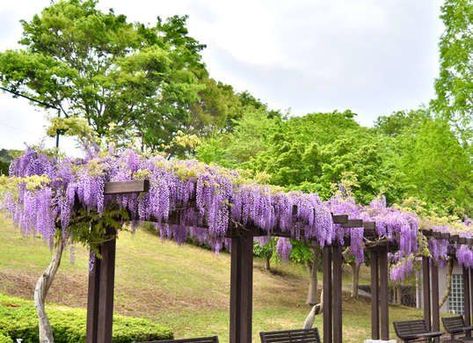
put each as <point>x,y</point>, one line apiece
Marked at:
<point>241,288</point>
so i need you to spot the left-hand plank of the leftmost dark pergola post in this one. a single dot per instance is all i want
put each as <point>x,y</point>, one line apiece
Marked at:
<point>93,298</point>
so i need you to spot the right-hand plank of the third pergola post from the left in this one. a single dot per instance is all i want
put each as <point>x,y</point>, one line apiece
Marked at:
<point>337,322</point>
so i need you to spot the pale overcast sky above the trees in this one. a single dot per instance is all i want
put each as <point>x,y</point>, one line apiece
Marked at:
<point>370,56</point>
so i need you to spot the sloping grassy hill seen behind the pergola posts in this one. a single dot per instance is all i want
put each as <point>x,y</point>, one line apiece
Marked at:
<point>183,287</point>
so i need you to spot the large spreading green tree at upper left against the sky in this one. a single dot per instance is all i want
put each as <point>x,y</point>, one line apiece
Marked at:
<point>101,67</point>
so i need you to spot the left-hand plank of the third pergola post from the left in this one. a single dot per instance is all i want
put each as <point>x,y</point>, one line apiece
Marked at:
<point>327,296</point>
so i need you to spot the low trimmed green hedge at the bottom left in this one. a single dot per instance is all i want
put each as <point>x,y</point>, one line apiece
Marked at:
<point>18,320</point>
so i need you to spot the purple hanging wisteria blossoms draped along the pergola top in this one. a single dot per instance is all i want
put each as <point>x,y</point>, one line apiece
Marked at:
<point>188,199</point>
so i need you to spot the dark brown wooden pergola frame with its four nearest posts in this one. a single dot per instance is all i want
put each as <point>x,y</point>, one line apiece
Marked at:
<point>101,279</point>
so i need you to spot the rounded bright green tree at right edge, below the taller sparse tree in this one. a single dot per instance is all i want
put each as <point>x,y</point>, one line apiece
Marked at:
<point>437,168</point>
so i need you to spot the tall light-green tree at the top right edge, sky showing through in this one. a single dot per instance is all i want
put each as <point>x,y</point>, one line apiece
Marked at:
<point>454,86</point>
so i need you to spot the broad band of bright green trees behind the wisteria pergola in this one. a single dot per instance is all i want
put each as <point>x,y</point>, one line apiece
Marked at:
<point>407,155</point>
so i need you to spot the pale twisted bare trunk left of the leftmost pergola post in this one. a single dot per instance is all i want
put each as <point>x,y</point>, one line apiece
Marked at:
<point>41,291</point>
